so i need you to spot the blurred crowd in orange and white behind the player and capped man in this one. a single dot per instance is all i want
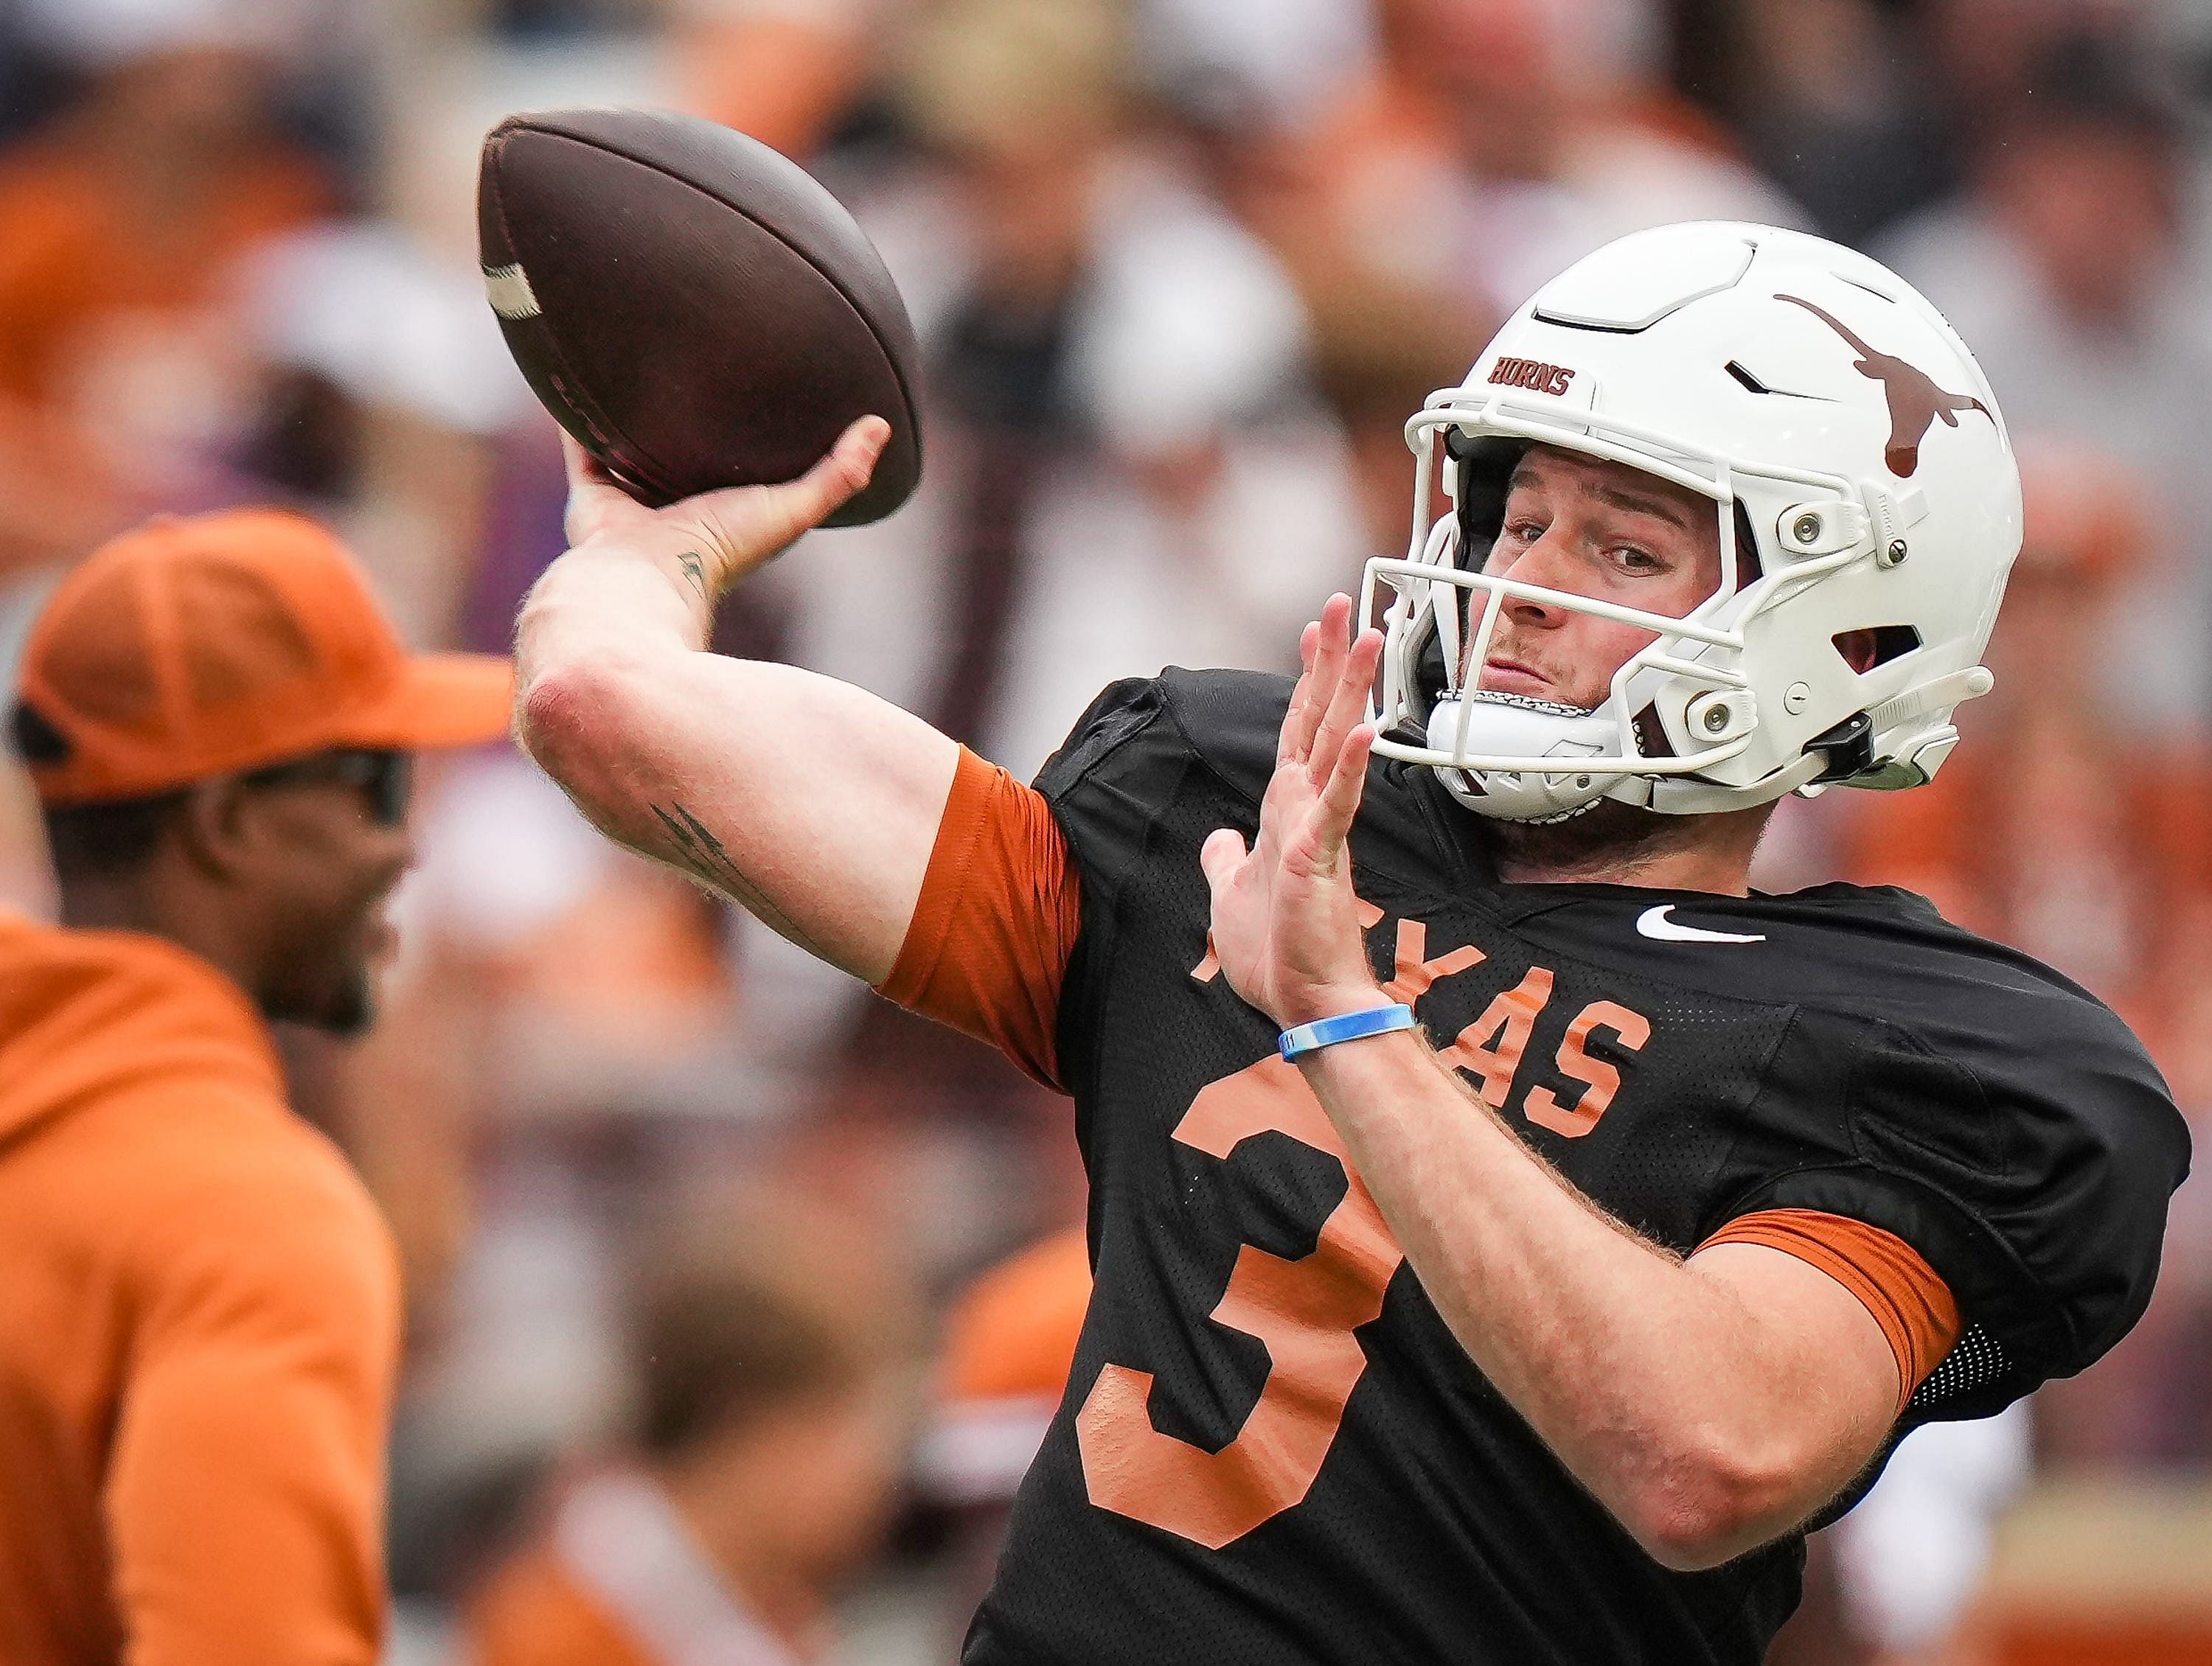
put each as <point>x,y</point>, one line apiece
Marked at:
<point>1182,269</point>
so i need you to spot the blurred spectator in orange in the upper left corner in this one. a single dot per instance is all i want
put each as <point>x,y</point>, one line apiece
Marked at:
<point>121,375</point>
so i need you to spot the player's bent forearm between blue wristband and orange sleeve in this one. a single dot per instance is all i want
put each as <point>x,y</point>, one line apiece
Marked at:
<point>1651,1382</point>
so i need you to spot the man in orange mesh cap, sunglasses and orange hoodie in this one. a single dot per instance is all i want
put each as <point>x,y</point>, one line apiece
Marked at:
<point>200,1313</point>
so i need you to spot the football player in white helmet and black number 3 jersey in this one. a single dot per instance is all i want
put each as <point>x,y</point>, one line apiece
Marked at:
<point>1547,1329</point>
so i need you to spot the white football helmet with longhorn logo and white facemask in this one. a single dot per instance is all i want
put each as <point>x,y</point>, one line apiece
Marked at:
<point>1861,477</point>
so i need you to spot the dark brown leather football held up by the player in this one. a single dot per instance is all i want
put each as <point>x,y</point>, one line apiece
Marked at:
<point>693,306</point>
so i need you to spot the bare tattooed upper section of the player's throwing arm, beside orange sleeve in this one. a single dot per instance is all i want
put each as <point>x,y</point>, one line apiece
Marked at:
<point>806,800</point>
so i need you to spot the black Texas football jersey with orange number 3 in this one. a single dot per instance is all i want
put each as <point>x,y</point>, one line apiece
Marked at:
<point>1273,1450</point>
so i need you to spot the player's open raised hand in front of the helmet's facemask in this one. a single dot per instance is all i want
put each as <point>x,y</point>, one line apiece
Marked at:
<point>1286,921</point>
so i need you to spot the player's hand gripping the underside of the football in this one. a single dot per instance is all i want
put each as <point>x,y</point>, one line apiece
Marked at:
<point>731,532</point>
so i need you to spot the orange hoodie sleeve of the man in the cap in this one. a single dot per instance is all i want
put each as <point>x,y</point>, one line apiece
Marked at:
<point>247,1479</point>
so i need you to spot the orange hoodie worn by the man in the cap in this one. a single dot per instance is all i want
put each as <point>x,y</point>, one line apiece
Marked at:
<point>198,1329</point>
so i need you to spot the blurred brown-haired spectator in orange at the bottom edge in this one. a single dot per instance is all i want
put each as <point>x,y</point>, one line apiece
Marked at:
<point>773,1353</point>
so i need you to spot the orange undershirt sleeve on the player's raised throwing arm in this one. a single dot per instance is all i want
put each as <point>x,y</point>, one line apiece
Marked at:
<point>997,921</point>
